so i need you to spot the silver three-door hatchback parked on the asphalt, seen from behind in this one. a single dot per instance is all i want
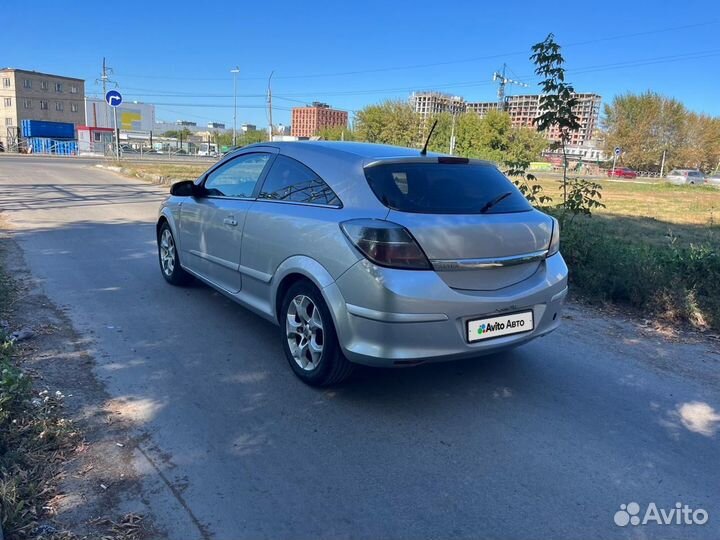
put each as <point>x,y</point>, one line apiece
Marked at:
<point>368,254</point>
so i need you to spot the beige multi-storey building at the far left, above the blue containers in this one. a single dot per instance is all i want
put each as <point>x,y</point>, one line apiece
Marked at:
<point>31,95</point>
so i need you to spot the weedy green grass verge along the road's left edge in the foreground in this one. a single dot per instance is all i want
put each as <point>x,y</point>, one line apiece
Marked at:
<point>36,440</point>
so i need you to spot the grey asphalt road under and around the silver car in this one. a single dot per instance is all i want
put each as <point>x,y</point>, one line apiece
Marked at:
<point>543,442</point>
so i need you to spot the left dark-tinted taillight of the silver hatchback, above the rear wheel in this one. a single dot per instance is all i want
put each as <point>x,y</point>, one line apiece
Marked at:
<point>385,243</point>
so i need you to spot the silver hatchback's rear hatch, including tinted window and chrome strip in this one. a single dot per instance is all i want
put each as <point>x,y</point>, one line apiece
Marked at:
<point>474,225</point>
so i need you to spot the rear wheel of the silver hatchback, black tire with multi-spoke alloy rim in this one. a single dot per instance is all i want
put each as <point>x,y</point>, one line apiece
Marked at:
<point>309,338</point>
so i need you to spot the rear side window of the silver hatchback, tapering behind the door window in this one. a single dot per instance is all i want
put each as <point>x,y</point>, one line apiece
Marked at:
<point>290,180</point>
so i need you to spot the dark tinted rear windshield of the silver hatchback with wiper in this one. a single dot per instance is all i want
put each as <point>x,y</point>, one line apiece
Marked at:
<point>440,188</point>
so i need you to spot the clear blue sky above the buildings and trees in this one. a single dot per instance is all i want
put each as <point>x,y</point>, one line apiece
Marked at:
<point>353,53</point>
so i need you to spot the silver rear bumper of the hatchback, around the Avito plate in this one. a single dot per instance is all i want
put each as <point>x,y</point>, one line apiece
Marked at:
<point>388,317</point>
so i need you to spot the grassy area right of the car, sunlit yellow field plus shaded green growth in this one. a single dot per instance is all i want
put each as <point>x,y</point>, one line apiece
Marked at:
<point>655,247</point>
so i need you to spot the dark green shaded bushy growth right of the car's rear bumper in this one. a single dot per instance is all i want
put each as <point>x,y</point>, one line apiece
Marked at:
<point>676,282</point>
